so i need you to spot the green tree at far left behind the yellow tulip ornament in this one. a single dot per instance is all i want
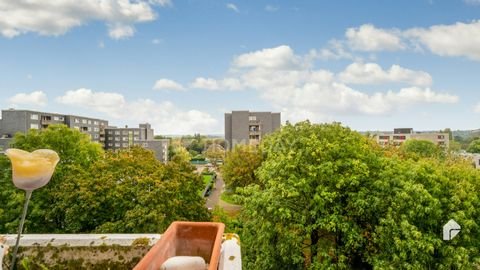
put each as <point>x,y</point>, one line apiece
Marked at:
<point>77,152</point>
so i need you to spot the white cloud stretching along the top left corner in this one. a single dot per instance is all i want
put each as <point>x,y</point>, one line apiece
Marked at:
<point>58,17</point>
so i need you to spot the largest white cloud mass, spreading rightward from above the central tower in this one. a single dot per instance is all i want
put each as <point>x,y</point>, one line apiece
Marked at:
<point>291,85</point>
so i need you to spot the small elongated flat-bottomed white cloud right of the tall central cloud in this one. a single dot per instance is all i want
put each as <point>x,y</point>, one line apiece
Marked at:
<point>372,73</point>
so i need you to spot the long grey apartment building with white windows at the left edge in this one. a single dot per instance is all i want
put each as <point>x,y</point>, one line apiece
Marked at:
<point>14,121</point>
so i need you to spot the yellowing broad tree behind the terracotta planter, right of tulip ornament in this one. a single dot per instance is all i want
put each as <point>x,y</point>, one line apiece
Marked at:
<point>129,191</point>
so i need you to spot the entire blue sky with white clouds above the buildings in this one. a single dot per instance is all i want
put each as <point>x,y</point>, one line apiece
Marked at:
<point>180,65</point>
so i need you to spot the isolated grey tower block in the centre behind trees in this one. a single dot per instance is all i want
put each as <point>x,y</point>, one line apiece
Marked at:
<point>245,127</point>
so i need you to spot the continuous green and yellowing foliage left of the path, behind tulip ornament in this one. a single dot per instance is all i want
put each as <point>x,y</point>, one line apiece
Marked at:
<point>93,191</point>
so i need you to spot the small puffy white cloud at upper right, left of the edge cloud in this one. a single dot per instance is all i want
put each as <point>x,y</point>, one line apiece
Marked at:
<point>369,38</point>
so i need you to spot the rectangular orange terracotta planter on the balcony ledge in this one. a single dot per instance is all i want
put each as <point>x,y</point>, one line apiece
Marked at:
<point>202,239</point>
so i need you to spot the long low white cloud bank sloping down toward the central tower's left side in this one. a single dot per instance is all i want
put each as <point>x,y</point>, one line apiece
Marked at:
<point>165,117</point>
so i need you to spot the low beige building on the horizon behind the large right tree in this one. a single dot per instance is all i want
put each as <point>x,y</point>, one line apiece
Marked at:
<point>400,135</point>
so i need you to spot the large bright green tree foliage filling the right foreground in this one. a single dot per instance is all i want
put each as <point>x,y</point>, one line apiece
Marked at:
<point>330,198</point>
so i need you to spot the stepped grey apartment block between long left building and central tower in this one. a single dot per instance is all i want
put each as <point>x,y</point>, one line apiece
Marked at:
<point>121,138</point>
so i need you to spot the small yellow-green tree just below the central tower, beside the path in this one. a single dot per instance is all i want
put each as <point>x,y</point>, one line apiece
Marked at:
<point>239,166</point>
